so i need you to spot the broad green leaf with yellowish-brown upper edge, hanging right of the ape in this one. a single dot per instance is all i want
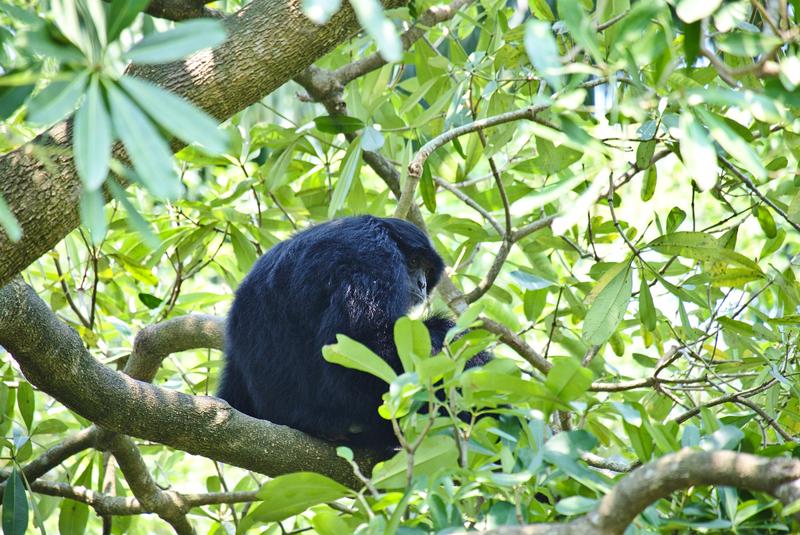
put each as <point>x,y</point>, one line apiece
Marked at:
<point>606,311</point>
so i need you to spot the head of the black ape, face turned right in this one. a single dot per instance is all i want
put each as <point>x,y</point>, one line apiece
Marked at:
<point>423,264</point>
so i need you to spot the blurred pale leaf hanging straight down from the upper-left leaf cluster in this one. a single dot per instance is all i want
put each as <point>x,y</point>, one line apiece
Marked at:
<point>91,139</point>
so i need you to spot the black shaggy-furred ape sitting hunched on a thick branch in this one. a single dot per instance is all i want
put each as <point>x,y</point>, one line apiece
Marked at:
<point>355,276</point>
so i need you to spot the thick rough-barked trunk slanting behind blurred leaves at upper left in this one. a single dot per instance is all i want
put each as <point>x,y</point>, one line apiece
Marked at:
<point>269,42</point>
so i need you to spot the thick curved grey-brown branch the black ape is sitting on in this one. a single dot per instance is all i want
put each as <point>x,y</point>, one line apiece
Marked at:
<point>53,357</point>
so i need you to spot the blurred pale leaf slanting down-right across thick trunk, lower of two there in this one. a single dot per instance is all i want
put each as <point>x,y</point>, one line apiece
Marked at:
<point>177,115</point>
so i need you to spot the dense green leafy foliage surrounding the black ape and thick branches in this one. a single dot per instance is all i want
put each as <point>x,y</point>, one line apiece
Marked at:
<point>630,223</point>
